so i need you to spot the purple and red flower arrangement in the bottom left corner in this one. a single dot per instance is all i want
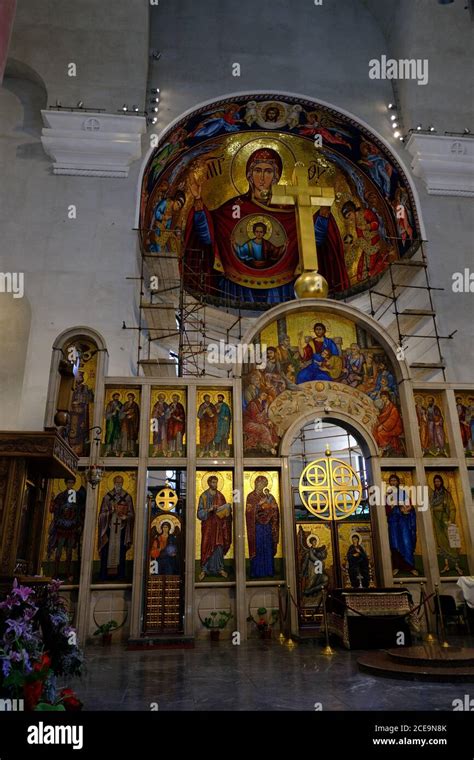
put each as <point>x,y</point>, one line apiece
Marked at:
<point>37,644</point>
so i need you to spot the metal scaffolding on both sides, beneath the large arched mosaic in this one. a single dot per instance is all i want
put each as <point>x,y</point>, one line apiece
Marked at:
<point>181,322</point>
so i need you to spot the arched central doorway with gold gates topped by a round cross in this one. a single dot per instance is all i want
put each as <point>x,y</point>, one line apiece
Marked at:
<point>330,473</point>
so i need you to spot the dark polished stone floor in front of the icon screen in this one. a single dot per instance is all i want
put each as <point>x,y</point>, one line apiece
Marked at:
<point>253,676</point>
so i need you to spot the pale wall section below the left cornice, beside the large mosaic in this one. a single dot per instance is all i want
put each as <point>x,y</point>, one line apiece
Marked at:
<point>75,269</point>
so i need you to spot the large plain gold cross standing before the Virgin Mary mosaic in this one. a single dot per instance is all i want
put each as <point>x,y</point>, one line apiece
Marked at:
<point>306,198</point>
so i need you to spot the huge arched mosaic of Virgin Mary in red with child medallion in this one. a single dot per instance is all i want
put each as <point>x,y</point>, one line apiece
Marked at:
<point>207,197</point>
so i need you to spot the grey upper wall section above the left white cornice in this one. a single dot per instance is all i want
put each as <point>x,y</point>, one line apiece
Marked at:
<point>107,40</point>
